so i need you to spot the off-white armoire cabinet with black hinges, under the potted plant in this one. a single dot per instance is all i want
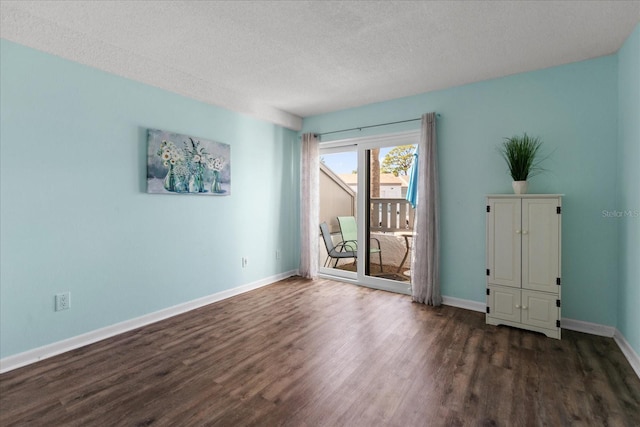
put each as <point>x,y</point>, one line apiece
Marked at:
<point>523,261</point>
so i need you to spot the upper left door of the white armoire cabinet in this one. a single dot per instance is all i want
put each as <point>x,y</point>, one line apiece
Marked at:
<point>503,242</point>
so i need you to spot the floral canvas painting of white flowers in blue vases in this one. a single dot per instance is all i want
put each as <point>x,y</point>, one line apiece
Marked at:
<point>182,164</point>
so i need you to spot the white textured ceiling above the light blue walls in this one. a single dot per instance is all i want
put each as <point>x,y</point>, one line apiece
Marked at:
<point>283,60</point>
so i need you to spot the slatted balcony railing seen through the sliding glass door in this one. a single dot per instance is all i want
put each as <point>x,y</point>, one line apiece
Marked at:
<point>391,215</point>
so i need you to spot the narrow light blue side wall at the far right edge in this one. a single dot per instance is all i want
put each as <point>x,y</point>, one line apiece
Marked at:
<point>628,189</point>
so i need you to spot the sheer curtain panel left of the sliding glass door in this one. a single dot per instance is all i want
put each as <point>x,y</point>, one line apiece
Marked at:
<point>309,206</point>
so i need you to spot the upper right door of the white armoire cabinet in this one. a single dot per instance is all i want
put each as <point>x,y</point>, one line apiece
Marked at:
<point>540,244</point>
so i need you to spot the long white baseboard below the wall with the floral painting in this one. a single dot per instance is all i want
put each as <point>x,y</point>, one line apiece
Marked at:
<point>31,356</point>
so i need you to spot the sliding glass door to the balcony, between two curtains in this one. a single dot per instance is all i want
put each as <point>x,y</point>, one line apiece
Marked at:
<point>363,184</point>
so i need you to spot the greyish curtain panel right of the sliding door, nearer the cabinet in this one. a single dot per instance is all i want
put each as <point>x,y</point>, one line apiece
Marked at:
<point>425,260</point>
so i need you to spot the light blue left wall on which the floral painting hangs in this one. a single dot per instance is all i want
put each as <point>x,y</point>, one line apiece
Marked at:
<point>75,215</point>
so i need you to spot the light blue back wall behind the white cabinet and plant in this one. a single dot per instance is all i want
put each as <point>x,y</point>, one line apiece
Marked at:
<point>573,108</point>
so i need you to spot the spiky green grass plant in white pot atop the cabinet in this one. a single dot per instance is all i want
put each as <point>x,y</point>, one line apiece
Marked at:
<point>521,154</point>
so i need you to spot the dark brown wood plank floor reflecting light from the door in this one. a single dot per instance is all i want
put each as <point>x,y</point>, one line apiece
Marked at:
<point>324,353</point>
